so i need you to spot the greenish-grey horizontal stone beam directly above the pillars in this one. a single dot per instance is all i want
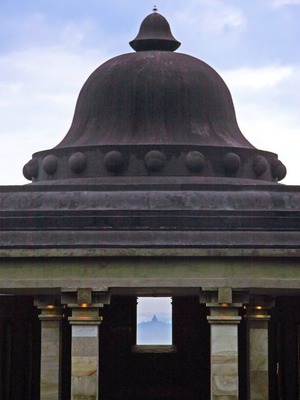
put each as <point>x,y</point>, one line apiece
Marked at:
<point>29,274</point>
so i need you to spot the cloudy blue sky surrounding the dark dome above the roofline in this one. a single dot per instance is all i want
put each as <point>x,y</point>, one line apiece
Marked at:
<point>48,48</point>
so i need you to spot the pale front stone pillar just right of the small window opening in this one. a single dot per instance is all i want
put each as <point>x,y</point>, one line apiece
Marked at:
<point>224,320</point>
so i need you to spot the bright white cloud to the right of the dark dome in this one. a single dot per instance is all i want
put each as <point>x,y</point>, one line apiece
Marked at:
<point>267,102</point>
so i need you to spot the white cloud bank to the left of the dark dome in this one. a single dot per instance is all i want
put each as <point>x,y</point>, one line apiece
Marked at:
<point>39,88</point>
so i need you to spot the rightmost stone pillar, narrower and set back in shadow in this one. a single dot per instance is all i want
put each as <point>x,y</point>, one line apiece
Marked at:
<point>258,350</point>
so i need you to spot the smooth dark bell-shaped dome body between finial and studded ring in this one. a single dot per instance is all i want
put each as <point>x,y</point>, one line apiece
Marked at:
<point>154,97</point>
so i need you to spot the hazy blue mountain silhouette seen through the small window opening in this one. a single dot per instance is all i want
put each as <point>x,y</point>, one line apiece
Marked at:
<point>154,332</point>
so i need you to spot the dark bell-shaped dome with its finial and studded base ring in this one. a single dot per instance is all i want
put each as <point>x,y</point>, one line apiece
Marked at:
<point>158,113</point>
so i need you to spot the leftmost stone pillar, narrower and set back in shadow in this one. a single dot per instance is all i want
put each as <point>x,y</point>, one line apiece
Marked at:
<point>51,318</point>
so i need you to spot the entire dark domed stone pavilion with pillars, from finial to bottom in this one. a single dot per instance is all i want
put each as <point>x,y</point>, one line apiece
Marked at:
<point>153,192</point>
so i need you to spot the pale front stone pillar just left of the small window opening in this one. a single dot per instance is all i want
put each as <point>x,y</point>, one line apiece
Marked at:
<point>85,321</point>
